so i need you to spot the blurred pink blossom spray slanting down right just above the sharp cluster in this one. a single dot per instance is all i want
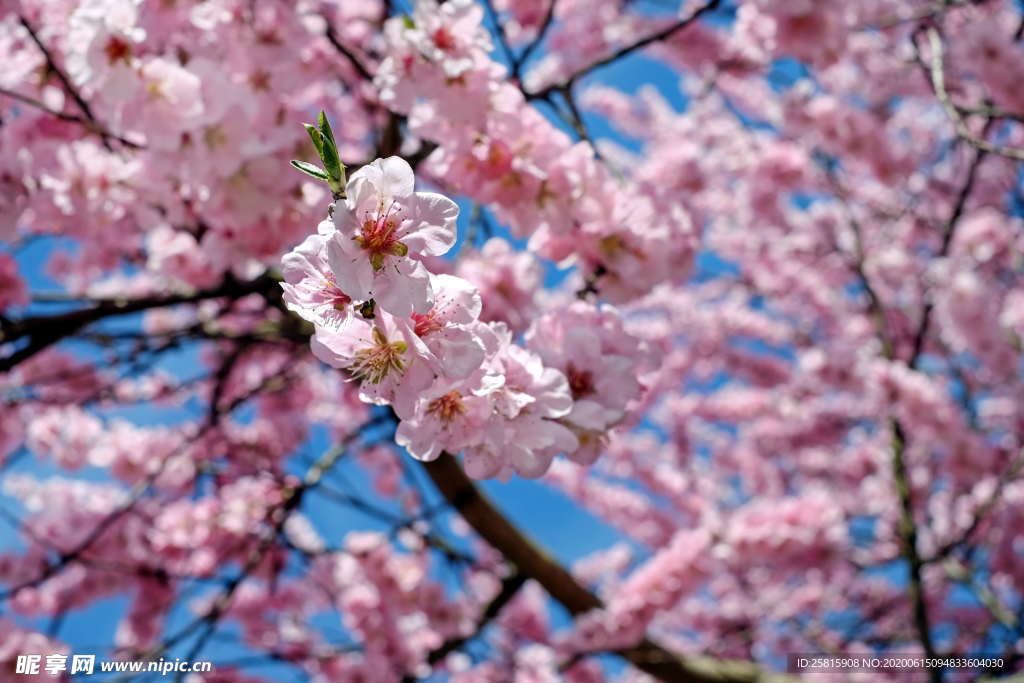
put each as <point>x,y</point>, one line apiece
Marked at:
<point>496,149</point>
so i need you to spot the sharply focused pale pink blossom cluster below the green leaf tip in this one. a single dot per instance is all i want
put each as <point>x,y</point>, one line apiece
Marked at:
<point>414,340</point>
